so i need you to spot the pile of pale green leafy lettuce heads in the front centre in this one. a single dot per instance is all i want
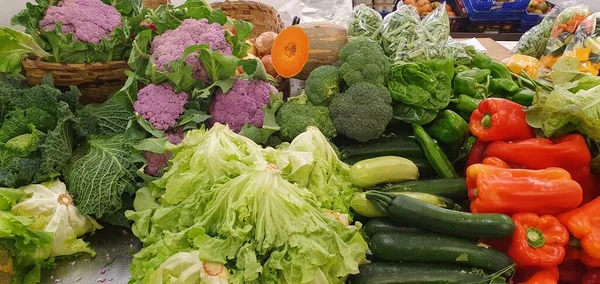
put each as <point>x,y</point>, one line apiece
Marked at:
<point>230,202</point>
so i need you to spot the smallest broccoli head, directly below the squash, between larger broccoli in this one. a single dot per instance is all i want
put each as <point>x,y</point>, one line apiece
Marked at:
<point>322,84</point>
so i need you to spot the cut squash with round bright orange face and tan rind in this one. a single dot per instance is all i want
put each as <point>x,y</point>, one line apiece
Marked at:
<point>300,49</point>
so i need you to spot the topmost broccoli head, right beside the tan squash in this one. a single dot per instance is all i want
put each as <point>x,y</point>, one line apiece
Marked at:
<point>364,61</point>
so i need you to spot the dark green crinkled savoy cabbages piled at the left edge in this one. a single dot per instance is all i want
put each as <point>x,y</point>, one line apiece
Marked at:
<point>45,134</point>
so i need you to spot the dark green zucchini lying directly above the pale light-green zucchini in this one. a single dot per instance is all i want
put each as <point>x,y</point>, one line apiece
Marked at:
<point>402,146</point>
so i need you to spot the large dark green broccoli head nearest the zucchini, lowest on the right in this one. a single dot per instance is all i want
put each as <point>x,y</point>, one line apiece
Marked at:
<point>362,112</point>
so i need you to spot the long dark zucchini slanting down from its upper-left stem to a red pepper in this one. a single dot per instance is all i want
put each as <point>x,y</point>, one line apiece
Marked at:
<point>414,212</point>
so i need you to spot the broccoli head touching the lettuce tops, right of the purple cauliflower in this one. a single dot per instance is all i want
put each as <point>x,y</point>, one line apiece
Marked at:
<point>298,114</point>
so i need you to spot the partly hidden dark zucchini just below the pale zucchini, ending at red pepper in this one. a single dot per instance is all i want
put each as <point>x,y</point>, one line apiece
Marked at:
<point>453,188</point>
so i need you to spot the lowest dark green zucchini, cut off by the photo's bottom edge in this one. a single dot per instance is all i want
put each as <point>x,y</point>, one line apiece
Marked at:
<point>419,273</point>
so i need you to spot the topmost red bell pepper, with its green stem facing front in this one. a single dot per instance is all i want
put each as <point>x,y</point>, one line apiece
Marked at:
<point>498,119</point>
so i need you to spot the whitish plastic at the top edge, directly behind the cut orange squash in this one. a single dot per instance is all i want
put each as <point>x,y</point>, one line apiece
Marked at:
<point>310,11</point>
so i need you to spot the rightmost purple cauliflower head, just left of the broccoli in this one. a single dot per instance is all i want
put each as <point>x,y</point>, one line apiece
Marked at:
<point>241,104</point>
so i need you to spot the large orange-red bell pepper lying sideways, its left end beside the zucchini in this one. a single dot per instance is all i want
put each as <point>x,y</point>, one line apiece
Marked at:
<point>495,188</point>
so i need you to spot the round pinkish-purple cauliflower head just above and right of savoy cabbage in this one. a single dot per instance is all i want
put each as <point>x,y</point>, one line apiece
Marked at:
<point>160,105</point>
